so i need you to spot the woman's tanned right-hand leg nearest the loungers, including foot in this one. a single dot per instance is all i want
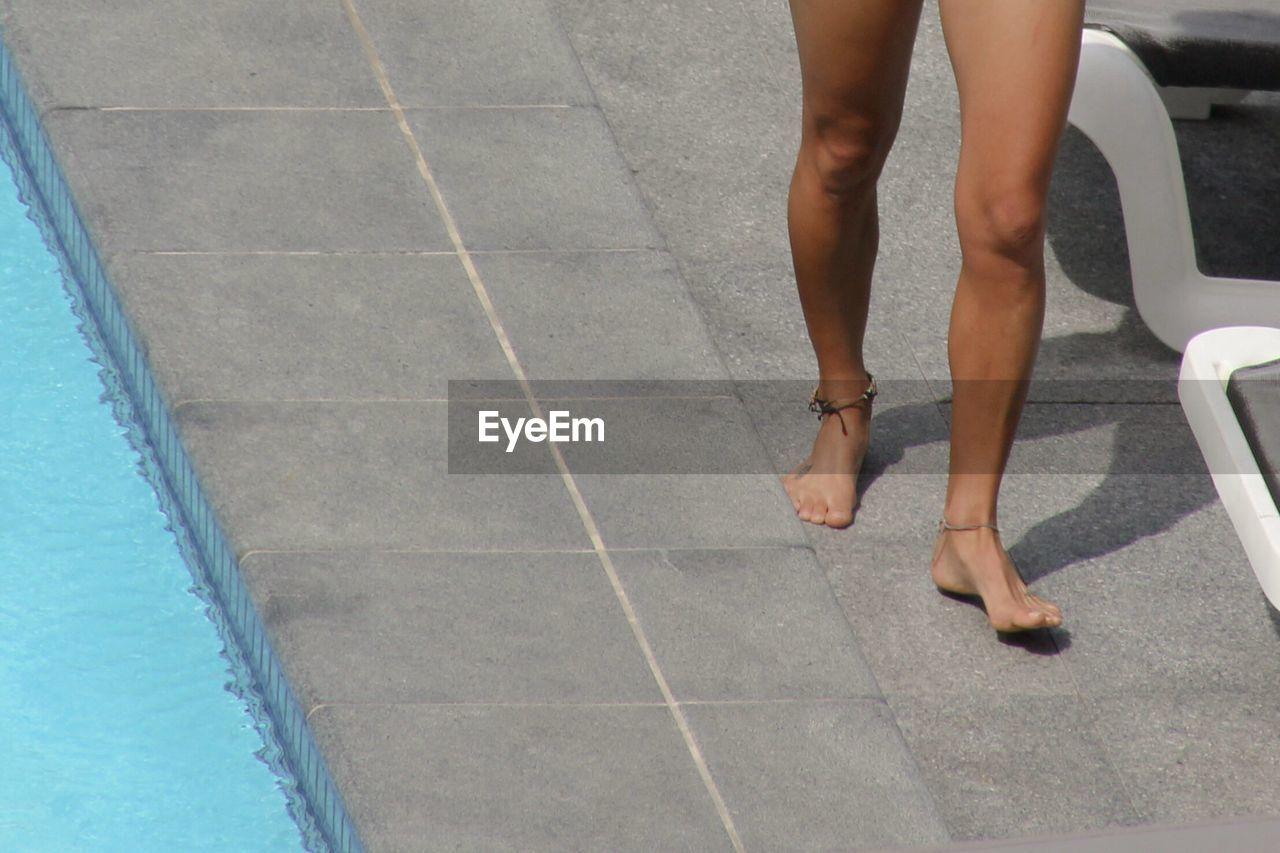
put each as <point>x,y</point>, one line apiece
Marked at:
<point>1016,66</point>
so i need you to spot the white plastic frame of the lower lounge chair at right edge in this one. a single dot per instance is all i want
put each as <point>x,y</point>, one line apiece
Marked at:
<point>1209,363</point>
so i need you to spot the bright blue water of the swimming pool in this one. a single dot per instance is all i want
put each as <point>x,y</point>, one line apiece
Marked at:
<point>121,723</point>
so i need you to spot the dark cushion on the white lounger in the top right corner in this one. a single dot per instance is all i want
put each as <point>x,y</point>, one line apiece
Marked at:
<point>1219,44</point>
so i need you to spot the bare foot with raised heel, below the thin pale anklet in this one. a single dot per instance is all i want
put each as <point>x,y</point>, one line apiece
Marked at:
<point>975,563</point>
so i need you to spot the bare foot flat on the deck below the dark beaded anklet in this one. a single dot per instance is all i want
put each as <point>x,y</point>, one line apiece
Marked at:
<point>825,487</point>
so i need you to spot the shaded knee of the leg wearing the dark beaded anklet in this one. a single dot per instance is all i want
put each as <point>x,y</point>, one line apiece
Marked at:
<point>848,153</point>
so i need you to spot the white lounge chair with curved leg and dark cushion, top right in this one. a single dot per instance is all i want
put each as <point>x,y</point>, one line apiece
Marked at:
<point>1126,111</point>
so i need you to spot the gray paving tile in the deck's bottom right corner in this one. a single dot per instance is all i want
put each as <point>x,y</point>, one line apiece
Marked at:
<point>1196,756</point>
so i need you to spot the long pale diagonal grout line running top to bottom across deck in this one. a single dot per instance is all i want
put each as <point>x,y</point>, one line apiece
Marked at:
<point>570,483</point>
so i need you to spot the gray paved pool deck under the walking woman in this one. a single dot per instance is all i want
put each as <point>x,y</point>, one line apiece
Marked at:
<point>319,212</point>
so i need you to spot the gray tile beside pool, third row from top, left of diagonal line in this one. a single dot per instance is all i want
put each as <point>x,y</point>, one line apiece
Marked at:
<point>289,327</point>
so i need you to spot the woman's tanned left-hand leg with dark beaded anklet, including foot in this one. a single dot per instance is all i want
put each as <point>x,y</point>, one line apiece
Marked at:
<point>854,61</point>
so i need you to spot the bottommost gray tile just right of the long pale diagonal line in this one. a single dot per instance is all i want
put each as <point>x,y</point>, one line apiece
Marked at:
<point>816,776</point>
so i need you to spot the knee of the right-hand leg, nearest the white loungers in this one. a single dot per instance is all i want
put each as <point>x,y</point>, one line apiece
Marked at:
<point>1007,222</point>
